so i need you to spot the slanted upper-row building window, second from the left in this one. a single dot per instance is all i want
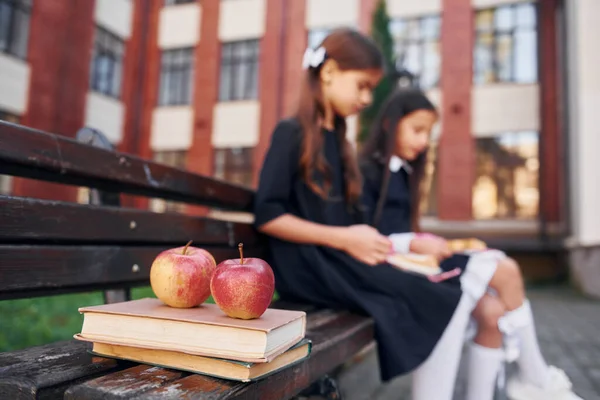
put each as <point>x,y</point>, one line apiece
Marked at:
<point>107,64</point>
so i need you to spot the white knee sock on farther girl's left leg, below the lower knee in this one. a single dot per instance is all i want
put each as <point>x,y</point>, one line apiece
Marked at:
<point>484,365</point>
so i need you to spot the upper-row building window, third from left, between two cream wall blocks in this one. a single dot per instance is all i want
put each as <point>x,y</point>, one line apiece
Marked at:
<point>176,77</point>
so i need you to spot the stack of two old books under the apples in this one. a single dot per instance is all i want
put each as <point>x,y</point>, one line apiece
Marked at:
<point>201,340</point>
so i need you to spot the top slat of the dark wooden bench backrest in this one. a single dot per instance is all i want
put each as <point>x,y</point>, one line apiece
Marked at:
<point>34,154</point>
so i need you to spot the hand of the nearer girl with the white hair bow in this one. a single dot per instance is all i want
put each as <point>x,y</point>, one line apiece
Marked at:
<point>366,244</point>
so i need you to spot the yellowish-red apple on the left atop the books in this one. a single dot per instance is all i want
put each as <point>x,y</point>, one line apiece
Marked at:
<point>180,277</point>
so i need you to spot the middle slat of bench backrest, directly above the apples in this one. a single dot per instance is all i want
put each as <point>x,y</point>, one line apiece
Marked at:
<point>31,220</point>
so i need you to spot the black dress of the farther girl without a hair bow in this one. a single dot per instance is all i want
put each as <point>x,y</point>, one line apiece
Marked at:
<point>396,212</point>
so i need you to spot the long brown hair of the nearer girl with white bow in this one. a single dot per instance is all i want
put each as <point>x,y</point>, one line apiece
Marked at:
<point>352,51</point>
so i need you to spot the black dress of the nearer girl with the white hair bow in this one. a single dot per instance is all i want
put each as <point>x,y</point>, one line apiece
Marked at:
<point>410,312</point>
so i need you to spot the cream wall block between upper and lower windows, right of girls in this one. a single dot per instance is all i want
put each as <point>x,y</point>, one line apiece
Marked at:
<point>505,107</point>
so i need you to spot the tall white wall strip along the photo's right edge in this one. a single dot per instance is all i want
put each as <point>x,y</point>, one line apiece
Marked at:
<point>584,116</point>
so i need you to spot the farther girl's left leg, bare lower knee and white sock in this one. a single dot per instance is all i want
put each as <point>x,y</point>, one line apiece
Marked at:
<point>485,356</point>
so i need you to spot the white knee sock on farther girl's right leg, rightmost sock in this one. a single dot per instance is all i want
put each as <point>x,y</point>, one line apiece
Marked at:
<point>519,323</point>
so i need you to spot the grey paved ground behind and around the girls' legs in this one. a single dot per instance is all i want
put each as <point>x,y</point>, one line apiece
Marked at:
<point>568,326</point>
